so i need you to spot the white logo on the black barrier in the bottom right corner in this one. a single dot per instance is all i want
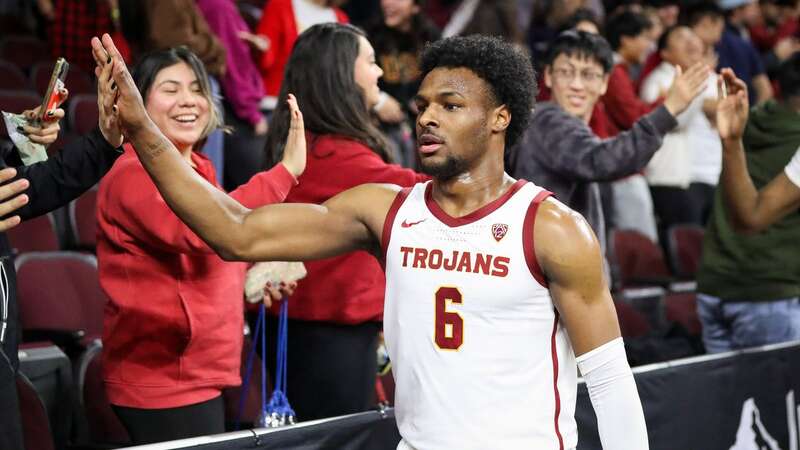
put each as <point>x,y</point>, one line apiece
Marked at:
<point>753,435</point>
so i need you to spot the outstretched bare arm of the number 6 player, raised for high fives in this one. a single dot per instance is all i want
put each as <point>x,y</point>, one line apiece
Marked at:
<point>274,232</point>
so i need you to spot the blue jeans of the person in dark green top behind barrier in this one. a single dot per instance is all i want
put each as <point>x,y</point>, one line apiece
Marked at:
<point>733,325</point>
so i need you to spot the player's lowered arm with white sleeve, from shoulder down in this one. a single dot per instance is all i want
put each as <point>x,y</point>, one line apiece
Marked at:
<point>572,262</point>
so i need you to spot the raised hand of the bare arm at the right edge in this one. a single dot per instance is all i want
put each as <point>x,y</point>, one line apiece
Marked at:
<point>732,107</point>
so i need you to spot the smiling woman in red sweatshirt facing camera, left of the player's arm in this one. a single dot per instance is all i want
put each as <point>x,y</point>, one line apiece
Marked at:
<point>173,327</point>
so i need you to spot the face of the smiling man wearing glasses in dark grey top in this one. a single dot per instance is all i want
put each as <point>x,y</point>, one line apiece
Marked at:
<point>576,83</point>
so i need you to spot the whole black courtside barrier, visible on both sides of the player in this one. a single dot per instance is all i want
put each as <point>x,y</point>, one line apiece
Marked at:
<point>735,401</point>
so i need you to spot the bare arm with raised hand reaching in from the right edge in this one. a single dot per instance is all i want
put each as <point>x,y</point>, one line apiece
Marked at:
<point>750,210</point>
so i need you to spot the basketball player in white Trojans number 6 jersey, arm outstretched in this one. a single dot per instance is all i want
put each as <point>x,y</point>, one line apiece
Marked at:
<point>493,287</point>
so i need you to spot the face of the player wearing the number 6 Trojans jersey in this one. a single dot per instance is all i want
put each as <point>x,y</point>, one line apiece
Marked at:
<point>453,128</point>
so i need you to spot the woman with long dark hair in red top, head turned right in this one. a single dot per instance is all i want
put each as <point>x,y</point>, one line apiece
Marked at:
<point>335,314</point>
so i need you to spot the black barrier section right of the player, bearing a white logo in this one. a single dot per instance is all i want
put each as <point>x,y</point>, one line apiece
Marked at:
<point>736,401</point>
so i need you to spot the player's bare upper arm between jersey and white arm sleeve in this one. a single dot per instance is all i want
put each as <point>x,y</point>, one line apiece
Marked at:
<point>570,257</point>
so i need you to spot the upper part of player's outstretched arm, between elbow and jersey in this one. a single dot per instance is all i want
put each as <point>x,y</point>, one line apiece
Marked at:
<point>352,220</point>
